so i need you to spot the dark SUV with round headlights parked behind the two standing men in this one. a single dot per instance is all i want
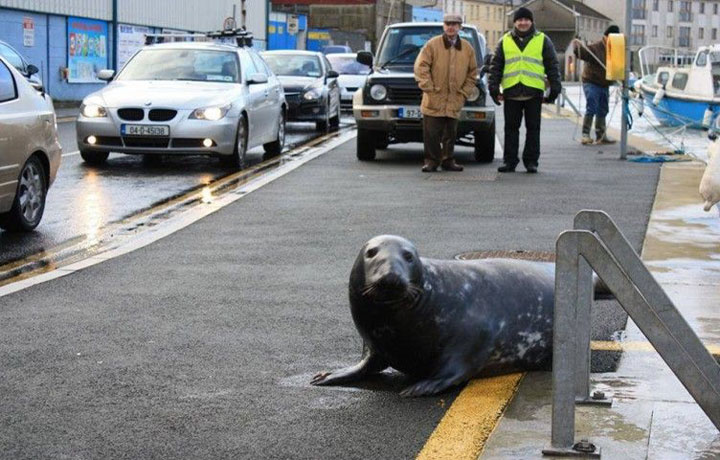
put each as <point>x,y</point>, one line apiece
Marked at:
<point>387,110</point>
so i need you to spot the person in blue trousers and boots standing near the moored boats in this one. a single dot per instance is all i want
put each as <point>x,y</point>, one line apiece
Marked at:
<point>595,86</point>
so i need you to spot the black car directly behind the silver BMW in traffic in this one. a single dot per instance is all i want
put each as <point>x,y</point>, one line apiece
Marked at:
<point>311,88</point>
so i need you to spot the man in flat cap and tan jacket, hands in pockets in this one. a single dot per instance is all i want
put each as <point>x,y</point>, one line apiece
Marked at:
<point>446,72</point>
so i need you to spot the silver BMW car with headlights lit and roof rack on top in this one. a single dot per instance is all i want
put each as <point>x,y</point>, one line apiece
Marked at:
<point>185,98</point>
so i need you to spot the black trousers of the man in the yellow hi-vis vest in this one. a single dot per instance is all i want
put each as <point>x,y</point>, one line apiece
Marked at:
<point>514,111</point>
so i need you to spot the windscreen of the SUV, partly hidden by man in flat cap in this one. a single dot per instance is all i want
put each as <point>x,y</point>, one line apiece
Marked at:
<point>403,44</point>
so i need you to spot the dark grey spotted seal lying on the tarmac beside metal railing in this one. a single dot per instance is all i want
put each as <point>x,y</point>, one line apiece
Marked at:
<point>443,322</point>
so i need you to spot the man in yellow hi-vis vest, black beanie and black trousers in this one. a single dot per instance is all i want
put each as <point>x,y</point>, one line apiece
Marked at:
<point>523,59</point>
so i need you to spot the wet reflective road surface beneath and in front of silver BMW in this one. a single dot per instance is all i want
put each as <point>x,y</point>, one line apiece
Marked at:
<point>85,199</point>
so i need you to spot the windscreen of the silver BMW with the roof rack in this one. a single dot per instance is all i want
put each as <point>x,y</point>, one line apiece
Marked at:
<point>183,64</point>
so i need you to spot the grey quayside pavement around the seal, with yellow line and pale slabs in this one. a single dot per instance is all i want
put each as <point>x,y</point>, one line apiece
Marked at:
<point>202,344</point>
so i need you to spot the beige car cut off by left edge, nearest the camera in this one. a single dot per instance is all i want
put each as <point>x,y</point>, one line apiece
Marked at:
<point>30,153</point>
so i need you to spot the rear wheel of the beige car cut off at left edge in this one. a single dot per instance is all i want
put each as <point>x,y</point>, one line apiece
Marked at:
<point>29,204</point>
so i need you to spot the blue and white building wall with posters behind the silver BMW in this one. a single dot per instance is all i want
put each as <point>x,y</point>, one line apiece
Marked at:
<point>71,41</point>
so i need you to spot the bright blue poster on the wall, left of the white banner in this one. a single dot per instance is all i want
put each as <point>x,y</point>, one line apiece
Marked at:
<point>87,49</point>
